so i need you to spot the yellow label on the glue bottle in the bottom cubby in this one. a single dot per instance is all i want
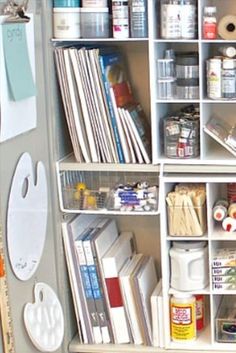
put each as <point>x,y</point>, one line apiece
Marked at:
<point>183,321</point>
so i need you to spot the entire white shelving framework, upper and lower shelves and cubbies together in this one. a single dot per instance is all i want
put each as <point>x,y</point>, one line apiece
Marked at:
<point>141,57</point>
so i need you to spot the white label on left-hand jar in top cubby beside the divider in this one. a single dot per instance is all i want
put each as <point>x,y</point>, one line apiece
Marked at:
<point>171,21</point>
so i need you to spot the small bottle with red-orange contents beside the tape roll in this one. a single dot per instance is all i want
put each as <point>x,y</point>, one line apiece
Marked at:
<point>209,30</point>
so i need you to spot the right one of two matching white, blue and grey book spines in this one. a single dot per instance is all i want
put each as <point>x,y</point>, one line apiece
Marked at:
<point>97,290</point>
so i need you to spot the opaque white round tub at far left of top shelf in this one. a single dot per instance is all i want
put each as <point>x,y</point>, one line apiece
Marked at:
<point>66,22</point>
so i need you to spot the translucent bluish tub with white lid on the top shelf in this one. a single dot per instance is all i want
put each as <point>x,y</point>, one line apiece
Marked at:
<point>94,22</point>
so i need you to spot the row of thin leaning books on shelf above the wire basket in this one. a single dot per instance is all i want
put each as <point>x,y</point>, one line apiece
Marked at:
<point>104,121</point>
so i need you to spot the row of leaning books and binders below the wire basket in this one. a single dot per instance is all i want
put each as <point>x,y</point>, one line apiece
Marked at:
<point>115,289</point>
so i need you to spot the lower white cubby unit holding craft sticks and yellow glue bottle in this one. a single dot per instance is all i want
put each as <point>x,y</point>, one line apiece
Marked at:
<point>216,238</point>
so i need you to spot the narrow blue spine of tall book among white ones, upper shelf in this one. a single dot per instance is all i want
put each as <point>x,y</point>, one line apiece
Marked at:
<point>111,110</point>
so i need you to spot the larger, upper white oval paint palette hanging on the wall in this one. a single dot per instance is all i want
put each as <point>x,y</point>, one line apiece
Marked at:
<point>27,217</point>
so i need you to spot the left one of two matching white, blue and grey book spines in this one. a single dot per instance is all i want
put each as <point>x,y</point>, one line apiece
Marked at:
<point>88,291</point>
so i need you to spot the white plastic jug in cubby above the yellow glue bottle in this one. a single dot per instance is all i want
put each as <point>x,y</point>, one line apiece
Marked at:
<point>189,265</point>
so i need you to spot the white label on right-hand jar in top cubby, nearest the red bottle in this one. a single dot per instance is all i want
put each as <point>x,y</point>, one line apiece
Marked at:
<point>188,21</point>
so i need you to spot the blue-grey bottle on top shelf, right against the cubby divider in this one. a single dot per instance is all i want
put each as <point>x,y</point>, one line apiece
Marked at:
<point>138,18</point>
